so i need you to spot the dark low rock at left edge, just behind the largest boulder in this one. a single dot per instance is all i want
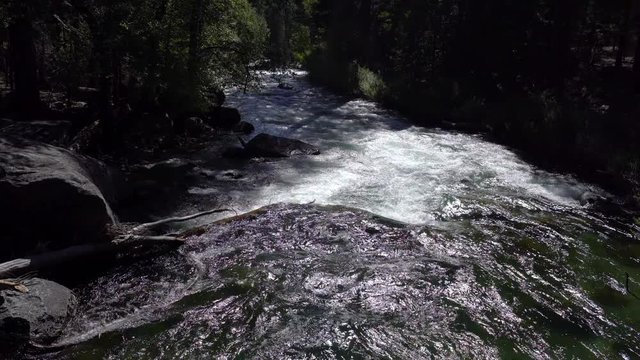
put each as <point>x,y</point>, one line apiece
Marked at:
<point>49,132</point>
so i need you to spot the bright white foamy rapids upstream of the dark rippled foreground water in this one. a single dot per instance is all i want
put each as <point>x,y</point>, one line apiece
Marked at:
<point>375,160</point>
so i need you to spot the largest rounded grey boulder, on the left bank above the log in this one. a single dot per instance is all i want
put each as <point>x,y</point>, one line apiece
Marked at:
<point>52,198</point>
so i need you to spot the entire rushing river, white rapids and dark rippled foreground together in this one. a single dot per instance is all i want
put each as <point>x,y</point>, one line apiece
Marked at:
<point>464,251</point>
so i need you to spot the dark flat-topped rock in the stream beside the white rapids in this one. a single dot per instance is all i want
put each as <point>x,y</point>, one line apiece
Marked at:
<point>265,145</point>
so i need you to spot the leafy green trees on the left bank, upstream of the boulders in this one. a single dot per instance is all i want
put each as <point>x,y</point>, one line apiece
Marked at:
<point>168,52</point>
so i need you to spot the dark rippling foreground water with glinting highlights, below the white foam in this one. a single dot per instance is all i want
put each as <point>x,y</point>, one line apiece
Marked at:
<point>347,284</point>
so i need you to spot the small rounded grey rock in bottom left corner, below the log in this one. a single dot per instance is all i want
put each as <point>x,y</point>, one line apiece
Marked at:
<point>39,315</point>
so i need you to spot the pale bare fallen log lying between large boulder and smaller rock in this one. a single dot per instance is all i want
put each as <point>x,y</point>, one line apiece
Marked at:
<point>18,267</point>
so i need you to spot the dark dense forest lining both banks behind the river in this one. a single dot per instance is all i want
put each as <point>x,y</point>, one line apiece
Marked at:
<point>558,80</point>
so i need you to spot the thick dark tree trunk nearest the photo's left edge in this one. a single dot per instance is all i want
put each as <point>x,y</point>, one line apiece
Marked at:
<point>22,59</point>
